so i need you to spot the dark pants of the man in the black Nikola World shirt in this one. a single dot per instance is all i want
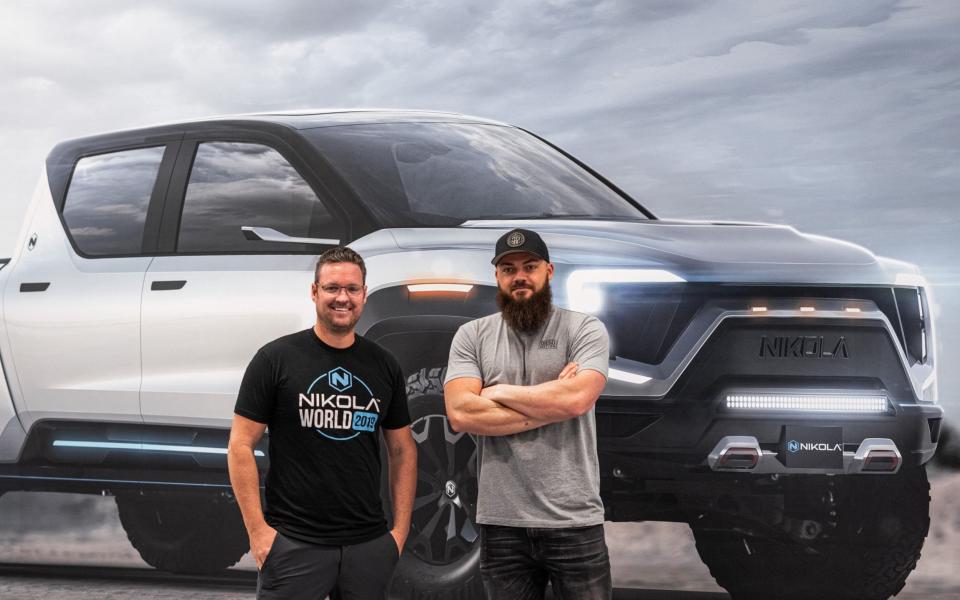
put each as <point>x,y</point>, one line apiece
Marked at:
<point>296,570</point>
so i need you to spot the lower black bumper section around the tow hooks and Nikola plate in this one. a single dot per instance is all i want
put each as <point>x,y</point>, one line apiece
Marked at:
<point>680,441</point>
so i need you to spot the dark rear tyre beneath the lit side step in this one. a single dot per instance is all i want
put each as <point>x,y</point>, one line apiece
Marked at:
<point>184,532</point>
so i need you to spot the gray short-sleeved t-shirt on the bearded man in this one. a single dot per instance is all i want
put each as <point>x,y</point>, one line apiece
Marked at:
<point>545,477</point>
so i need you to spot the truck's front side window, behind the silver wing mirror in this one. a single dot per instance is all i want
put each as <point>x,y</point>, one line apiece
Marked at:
<point>241,184</point>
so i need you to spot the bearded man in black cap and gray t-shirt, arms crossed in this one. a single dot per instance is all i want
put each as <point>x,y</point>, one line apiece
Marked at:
<point>525,380</point>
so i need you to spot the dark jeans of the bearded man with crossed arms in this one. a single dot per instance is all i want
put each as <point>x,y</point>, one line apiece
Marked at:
<point>516,563</point>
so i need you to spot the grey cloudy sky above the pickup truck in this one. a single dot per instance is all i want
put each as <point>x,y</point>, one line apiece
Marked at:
<point>840,118</point>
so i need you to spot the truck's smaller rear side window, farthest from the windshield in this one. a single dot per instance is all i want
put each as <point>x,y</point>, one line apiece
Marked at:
<point>106,204</point>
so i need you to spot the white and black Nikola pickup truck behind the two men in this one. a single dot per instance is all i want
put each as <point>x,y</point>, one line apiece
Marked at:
<point>773,389</point>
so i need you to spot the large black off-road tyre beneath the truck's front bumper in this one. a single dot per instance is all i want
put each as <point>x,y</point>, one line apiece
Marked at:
<point>881,524</point>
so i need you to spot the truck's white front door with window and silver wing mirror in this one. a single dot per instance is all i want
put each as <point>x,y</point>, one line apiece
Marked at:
<point>222,293</point>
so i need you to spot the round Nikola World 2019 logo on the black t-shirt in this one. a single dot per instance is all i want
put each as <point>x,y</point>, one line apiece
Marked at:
<point>339,405</point>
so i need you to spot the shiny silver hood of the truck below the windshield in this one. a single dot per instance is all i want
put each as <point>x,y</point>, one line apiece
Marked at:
<point>694,250</point>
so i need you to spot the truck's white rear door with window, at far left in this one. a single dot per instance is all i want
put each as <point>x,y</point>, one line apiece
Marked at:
<point>73,299</point>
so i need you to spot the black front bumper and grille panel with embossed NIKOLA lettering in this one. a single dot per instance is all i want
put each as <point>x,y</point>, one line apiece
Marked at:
<point>672,436</point>
